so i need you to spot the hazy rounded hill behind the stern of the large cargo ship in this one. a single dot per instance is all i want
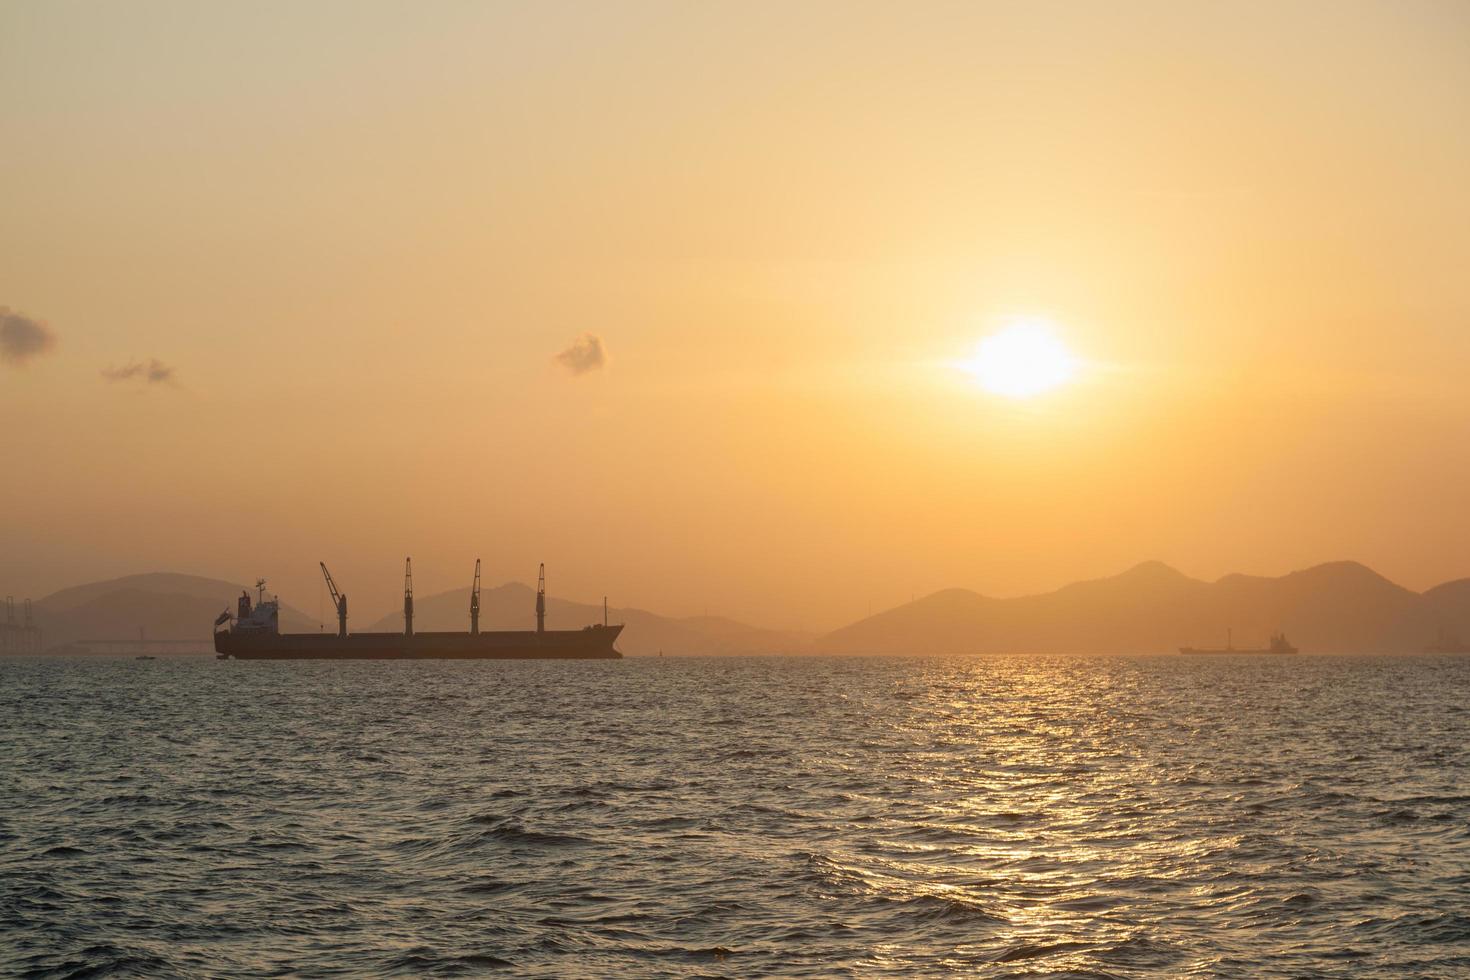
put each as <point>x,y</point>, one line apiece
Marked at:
<point>162,605</point>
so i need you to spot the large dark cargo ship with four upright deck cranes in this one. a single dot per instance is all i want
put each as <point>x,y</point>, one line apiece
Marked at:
<point>254,633</point>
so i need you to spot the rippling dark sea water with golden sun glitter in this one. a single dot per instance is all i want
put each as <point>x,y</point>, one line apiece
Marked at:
<point>1130,818</point>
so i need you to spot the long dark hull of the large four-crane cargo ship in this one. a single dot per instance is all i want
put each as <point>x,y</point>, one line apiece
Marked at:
<point>595,643</point>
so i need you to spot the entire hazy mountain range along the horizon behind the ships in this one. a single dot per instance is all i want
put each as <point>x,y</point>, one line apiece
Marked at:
<point>1337,608</point>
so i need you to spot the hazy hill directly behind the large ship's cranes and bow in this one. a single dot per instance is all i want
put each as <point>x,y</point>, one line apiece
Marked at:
<point>514,606</point>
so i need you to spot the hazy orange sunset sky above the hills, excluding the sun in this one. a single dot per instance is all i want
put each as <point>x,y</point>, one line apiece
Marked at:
<point>289,283</point>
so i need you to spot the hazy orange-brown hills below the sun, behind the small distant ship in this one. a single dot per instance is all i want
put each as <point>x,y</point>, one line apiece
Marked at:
<point>1338,608</point>
